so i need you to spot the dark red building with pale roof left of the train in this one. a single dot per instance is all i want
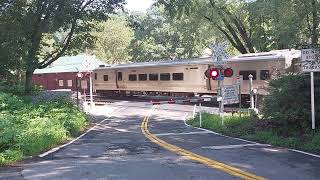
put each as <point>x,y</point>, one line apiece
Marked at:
<point>62,74</point>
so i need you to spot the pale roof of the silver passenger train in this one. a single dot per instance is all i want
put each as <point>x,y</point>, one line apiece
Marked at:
<point>264,56</point>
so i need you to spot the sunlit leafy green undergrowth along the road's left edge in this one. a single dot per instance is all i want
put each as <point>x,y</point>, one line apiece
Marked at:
<point>27,129</point>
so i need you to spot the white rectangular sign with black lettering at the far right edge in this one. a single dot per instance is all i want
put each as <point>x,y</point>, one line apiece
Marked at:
<point>310,60</point>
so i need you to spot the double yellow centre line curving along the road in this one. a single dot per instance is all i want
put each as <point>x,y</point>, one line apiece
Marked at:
<point>192,156</point>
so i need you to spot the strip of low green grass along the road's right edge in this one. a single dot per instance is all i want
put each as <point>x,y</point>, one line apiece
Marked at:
<point>247,128</point>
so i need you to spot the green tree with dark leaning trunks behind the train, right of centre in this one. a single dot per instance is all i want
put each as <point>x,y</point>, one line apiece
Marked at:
<point>228,17</point>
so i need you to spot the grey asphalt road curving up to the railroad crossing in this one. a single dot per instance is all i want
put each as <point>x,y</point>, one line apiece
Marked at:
<point>140,142</point>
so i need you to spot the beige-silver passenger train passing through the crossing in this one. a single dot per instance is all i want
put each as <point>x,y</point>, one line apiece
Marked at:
<point>187,77</point>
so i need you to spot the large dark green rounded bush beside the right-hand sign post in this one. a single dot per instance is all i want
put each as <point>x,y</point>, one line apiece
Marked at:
<point>288,104</point>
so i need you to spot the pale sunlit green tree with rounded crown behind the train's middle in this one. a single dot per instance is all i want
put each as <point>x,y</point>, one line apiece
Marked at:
<point>159,36</point>
